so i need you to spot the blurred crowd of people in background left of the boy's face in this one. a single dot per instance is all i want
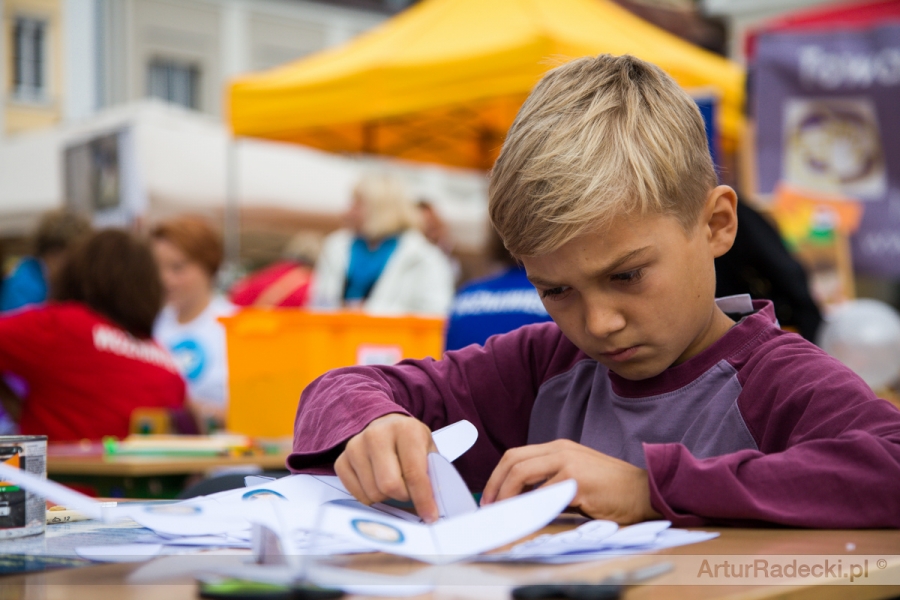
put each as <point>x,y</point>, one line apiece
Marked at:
<point>98,323</point>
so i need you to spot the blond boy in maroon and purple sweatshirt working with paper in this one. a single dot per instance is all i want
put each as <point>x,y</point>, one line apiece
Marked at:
<point>657,399</point>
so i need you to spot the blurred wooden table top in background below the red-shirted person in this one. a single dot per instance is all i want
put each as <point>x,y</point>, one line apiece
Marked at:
<point>70,460</point>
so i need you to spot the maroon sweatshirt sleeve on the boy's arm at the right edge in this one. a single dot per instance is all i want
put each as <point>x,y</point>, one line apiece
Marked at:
<point>828,457</point>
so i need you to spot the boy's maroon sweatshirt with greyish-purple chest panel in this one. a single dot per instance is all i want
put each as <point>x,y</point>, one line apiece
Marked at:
<point>761,427</point>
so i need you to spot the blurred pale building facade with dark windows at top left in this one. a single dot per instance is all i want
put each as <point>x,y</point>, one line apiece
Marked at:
<point>65,60</point>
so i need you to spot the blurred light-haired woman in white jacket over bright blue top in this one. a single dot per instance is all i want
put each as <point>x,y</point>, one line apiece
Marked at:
<point>381,263</point>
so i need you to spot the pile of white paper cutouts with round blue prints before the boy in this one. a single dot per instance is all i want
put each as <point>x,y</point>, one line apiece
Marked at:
<point>315,515</point>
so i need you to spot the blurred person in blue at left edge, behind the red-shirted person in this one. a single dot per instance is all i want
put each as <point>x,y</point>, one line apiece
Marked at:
<point>27,284</point>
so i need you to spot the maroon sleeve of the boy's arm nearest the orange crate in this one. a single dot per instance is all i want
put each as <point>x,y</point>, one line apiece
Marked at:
<point>493,386</point>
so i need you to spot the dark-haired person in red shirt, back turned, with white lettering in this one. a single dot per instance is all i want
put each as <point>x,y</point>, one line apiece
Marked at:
<point>87,356</point>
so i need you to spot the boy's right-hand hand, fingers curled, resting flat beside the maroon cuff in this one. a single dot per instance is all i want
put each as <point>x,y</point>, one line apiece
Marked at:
<point>608,488</point>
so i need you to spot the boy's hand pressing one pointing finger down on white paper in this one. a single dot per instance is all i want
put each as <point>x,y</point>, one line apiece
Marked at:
<point>389,459</point>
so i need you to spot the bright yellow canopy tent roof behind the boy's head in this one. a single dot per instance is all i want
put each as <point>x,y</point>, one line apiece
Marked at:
<point>442,81</point>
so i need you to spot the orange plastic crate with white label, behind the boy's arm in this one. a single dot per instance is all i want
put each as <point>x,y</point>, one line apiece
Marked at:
<point>273,354</point>
